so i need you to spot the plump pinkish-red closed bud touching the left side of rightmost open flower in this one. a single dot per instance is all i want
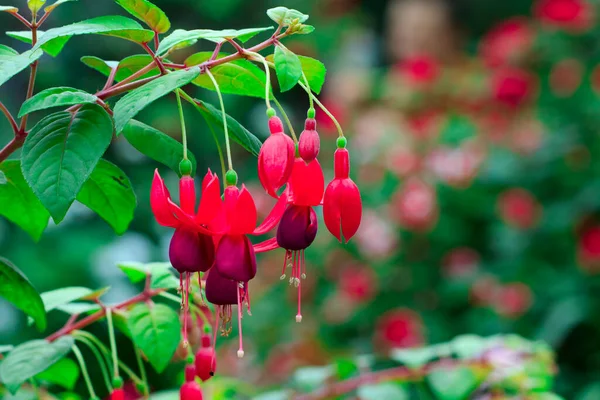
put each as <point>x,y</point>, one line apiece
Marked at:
<point>276,158</point>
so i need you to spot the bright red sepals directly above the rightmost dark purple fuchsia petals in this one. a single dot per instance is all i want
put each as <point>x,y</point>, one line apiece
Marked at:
<point>307,183</point>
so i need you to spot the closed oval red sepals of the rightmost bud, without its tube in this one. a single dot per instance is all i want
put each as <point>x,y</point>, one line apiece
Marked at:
<point>342,208</point>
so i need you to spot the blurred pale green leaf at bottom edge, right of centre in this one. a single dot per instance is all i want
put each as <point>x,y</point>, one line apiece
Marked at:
<point>452,383</point>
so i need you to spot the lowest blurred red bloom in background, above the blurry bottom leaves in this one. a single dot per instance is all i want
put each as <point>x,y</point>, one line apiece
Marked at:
<point>400,328</point>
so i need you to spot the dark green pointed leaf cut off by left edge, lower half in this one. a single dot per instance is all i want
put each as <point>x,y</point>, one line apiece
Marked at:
<point>16,288</point>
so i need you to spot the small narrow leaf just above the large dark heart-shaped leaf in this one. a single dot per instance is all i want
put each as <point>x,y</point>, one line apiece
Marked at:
<point>56,97</point>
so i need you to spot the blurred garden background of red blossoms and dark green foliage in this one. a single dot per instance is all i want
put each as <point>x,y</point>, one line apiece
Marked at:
<point>473,130</point>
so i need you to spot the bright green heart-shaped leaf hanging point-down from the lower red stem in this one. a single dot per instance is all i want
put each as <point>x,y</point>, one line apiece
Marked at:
<point>156,332</point>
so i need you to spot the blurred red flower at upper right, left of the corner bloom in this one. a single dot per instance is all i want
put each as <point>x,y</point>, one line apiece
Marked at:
<point>507,42</point>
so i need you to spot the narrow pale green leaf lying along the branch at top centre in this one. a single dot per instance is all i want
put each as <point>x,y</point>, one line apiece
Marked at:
<point>180,38</point>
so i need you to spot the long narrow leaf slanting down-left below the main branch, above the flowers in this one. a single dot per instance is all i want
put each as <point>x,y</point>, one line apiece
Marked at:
<point>136,100</point>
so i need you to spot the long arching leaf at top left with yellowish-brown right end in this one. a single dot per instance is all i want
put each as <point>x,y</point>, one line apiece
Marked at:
<point>108,25</point>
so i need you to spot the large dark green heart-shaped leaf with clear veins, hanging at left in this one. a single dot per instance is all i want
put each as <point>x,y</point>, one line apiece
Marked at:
<point>61,152</point>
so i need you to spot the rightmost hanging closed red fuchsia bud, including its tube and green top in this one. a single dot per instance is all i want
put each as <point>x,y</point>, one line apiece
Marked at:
<point>342,204</point>
